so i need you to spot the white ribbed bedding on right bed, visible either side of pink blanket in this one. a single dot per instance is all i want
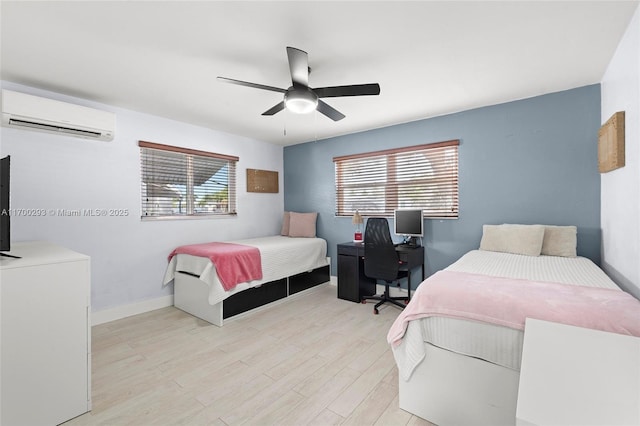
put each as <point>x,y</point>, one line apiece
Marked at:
<point>493,343</point>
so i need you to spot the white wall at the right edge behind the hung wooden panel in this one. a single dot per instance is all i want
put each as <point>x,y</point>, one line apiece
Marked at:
<point>620,211</point>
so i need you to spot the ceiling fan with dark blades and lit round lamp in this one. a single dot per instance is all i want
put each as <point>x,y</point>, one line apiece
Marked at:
<point>300,98</point>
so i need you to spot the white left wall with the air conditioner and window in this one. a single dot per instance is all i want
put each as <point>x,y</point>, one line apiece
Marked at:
<point>128,256</point>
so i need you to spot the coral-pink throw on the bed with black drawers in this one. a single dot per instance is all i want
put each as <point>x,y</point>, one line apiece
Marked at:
<point>235,263</point>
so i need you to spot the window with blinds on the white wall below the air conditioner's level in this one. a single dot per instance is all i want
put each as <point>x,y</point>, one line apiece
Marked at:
<point>179,182</point>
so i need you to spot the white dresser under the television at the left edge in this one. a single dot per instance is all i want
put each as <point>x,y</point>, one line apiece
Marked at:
<point>45,335</point>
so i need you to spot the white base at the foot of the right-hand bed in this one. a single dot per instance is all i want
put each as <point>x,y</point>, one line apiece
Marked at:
<point>447,388</point>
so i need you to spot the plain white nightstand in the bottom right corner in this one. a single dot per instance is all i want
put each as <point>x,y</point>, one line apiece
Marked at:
<point>577,376</point>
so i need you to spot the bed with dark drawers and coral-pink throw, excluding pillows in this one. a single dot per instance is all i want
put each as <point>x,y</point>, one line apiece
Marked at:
<point>216,280</point>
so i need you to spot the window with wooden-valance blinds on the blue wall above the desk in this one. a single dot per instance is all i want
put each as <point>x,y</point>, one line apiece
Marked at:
<point>376,183</point>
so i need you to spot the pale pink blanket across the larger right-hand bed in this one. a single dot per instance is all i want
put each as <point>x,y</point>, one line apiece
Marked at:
<point>508,302</point>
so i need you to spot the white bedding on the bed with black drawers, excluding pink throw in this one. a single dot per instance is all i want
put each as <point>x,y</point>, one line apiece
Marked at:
<point>281,257</point>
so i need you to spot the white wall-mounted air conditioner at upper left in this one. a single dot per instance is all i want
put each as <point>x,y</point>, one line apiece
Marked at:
<point>29,112</point>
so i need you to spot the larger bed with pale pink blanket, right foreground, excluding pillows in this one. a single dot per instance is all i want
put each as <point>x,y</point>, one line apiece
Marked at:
<point>458,344</point>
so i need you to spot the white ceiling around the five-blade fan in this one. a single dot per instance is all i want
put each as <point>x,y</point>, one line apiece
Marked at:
<point>430,58</point>
